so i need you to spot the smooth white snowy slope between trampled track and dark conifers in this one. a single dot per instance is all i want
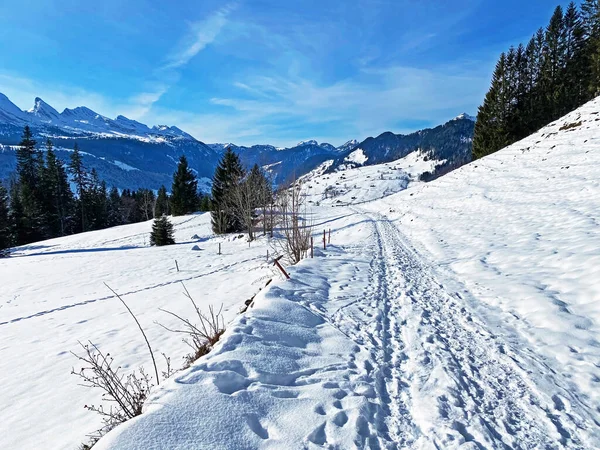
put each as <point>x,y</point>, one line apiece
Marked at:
<point>521,230</point>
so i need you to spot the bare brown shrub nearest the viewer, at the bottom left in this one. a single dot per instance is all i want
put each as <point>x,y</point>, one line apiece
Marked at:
<point>126,394</point>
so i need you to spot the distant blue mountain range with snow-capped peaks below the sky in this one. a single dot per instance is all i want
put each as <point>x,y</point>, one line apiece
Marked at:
<point>130,154</point>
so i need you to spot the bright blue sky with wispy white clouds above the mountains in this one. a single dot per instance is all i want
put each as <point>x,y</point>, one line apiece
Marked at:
<point>263,71</point>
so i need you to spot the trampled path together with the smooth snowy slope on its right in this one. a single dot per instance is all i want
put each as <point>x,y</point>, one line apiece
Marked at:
<point>456,314</point>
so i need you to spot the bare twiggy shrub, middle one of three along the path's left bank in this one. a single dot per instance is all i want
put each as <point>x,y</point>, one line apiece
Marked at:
<point>200,337</point>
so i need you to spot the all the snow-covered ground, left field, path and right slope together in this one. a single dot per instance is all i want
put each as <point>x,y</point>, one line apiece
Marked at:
<point>461,313</point>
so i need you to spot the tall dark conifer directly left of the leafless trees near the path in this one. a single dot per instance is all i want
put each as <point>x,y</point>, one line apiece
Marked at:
<point>228,175</point>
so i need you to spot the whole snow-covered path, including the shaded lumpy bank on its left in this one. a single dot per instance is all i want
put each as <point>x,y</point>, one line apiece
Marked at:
<point>366,347</point>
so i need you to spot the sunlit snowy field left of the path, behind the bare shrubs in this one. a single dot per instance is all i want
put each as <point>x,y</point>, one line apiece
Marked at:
<point>53,295</point>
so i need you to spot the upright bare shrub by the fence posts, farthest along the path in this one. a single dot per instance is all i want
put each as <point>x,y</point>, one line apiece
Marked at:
<point>295,229</point>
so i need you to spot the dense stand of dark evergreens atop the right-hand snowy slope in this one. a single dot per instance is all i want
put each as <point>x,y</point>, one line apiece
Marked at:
<point>558,71</point>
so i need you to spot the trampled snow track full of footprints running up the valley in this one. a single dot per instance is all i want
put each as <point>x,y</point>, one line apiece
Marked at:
<point>442,379</point>
